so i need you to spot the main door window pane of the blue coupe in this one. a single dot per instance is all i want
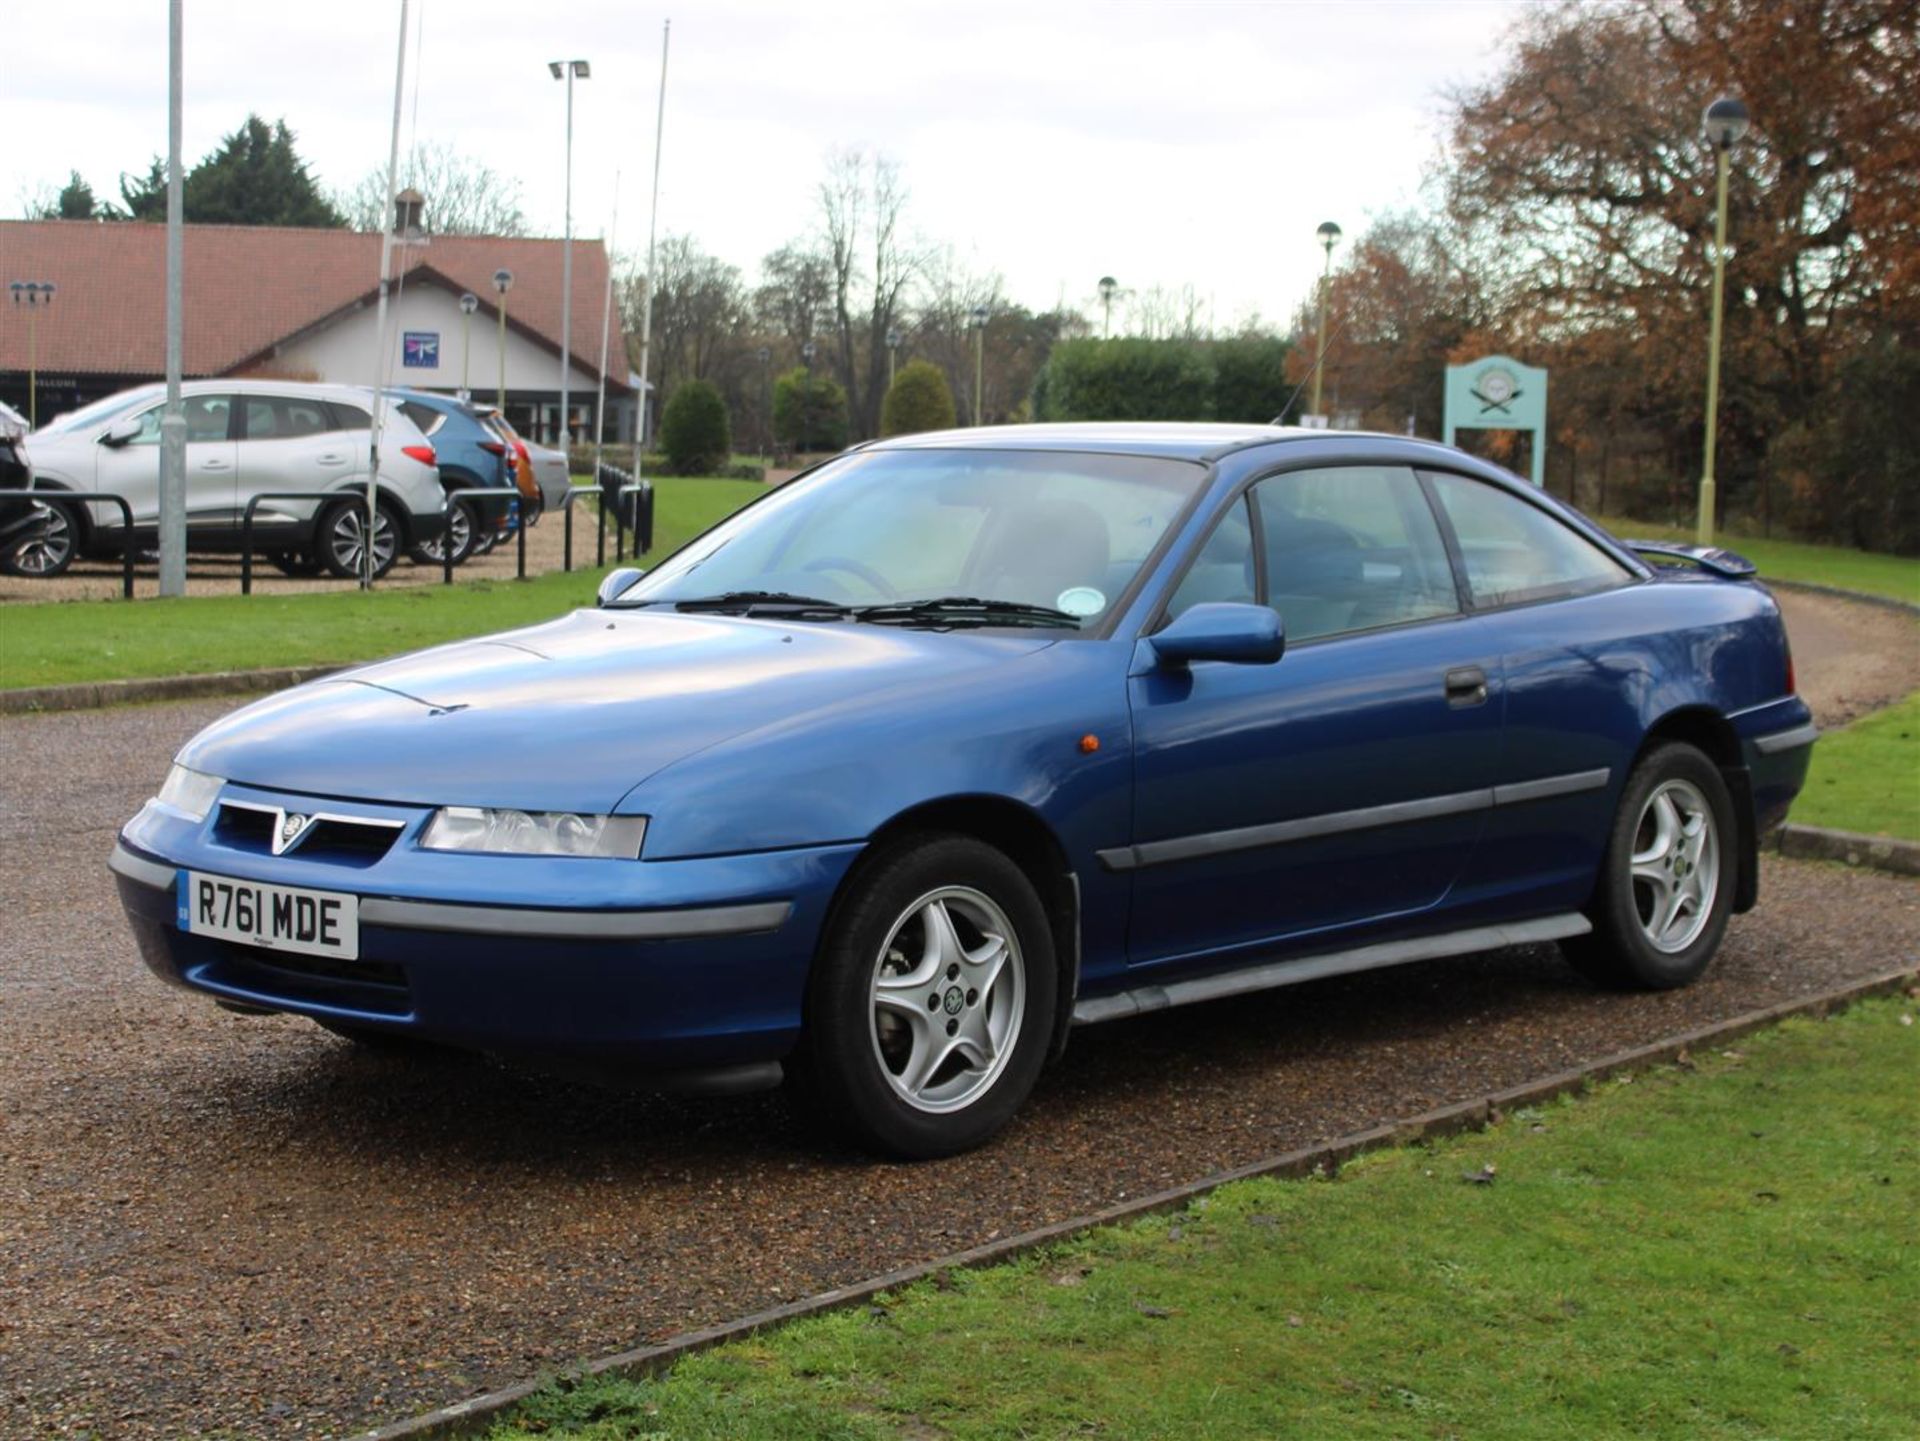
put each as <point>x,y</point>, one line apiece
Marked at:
<point>1353,550</point>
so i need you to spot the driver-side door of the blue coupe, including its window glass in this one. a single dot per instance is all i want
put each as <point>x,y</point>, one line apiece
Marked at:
<point>1347,784</point>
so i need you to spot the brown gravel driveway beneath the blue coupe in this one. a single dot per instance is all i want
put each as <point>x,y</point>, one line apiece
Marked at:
<point>247,1227</point>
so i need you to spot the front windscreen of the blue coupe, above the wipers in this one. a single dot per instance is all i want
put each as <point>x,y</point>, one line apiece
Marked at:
<point>1044,529</point>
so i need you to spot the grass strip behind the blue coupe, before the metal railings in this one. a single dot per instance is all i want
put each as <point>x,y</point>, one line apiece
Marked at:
<point>112,640</point>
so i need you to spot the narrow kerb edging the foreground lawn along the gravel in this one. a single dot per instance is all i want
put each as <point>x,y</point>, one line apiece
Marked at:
<point>466,1419</point>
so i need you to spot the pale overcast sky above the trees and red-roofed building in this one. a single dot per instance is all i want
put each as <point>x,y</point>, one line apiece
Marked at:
<point>1051,141</point>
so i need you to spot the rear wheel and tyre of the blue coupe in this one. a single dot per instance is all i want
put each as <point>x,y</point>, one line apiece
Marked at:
<point>1668,880</point>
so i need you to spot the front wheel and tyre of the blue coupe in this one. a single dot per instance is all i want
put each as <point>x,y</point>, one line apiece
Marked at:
<point>932,999</point>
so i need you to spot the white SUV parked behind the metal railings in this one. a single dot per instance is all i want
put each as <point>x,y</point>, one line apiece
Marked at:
<point>249,438</point>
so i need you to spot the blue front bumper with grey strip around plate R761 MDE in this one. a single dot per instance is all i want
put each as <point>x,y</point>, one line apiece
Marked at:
<point>600,966</point>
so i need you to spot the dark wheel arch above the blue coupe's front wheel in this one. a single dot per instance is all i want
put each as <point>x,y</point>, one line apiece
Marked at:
<point>1019,834</point>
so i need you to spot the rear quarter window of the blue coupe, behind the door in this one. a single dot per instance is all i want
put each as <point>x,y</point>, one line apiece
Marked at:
<point>1520,554</point>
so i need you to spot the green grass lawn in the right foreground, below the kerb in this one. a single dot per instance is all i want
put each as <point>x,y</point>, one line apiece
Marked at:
<point>1727,1252</point>
